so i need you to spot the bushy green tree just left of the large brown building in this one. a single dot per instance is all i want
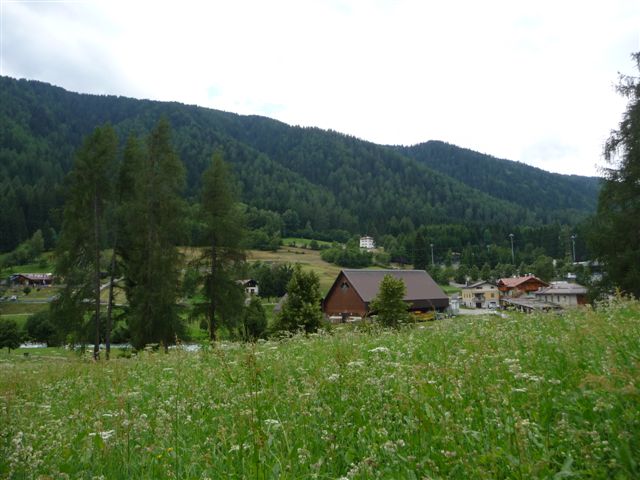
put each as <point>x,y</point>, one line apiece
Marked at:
<point>301,310</point>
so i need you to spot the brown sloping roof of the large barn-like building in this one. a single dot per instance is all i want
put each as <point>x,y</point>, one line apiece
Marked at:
<point>421,289</point>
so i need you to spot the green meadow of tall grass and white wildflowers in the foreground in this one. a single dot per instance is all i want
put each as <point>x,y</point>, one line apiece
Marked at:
<point>539,396</point>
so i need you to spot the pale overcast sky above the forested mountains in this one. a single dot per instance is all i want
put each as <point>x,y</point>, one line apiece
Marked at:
<point>532,81</point>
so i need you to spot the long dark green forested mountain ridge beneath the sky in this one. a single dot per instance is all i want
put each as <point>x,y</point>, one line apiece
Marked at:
<point>317,181</point>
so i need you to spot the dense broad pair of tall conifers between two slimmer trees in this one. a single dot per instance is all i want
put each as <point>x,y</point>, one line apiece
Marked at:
<point>152,181</point>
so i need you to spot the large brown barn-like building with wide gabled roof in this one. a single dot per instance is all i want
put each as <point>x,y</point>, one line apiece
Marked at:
<point>353,290</point>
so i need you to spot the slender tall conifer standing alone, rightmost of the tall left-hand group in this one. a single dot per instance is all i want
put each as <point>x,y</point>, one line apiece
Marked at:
<point>223,231</point>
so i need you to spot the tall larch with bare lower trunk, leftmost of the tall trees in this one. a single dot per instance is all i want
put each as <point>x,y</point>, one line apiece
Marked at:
<point>89,191</point>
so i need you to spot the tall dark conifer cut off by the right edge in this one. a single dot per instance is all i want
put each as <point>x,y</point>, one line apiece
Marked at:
<point>614,233</point>
